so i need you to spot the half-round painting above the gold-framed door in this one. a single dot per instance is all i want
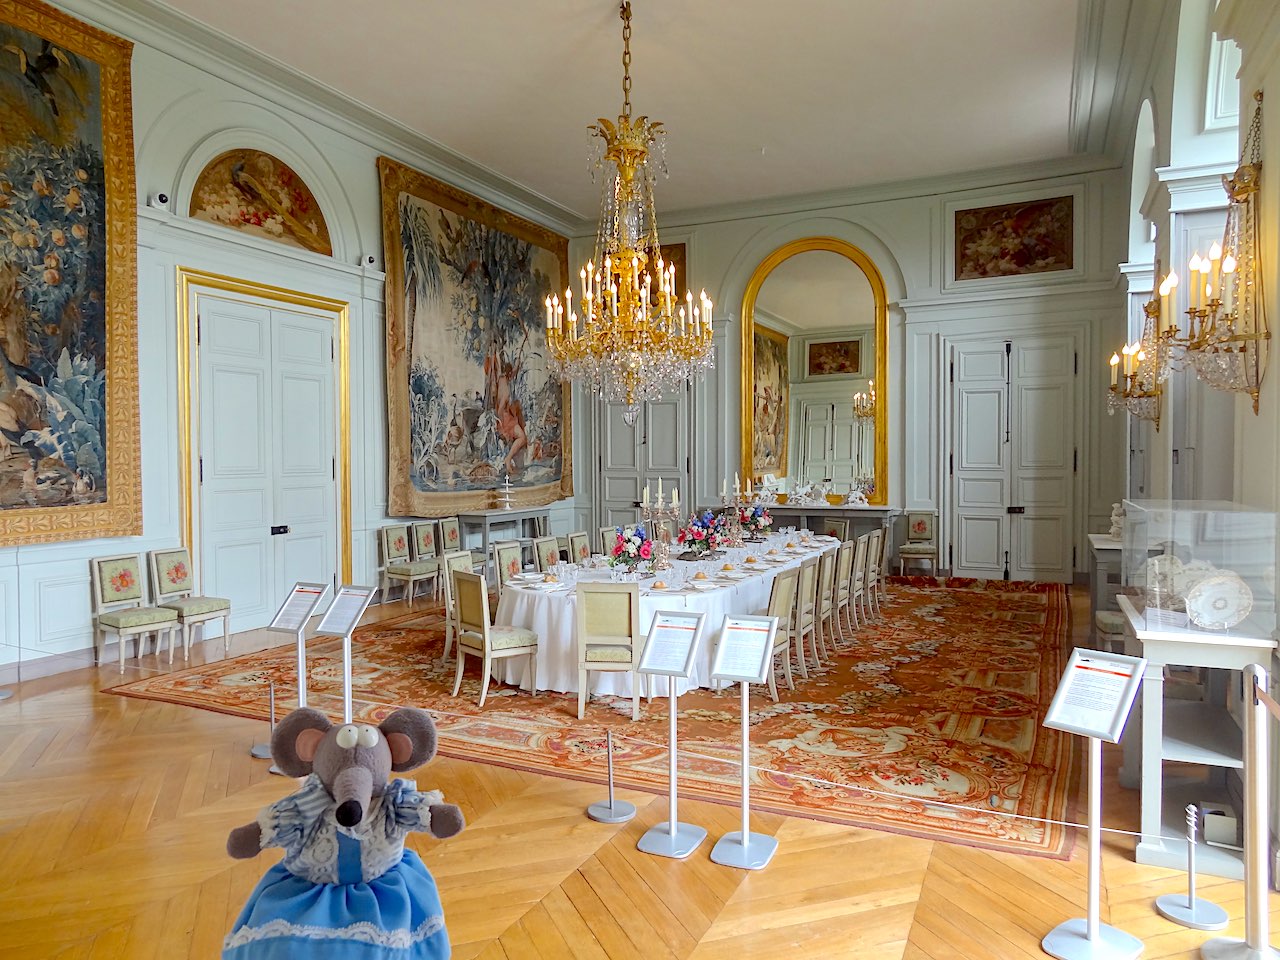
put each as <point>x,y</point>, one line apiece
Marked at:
<point>260,195</point>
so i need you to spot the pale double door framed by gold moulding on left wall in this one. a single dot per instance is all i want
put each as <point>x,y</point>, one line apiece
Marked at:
<point>268,490</point>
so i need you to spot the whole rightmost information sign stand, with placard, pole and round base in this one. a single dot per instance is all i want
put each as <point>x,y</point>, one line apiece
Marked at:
<point>1094,701</point>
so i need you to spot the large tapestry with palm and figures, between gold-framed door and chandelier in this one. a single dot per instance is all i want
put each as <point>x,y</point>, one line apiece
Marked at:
<point>470,399</point>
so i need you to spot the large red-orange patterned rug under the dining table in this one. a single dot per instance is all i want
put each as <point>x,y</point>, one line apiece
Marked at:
<point>940,701</point>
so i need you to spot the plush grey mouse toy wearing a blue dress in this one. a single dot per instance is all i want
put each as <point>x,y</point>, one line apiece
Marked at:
<point>348,888</point>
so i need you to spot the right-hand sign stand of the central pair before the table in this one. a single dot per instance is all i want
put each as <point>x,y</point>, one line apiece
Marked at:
<point>743,657</point>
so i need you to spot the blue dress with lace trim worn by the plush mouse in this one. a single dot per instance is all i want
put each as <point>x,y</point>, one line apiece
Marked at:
<point>350,894</point>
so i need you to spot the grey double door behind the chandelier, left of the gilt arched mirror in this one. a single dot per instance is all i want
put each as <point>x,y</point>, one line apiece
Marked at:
<point>632,456</point>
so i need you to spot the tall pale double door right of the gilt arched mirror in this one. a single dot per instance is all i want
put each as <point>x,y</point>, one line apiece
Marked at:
<point>1013,459</point>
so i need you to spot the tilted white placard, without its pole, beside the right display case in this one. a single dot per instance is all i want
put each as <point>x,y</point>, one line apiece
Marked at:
<point>1096,694</point>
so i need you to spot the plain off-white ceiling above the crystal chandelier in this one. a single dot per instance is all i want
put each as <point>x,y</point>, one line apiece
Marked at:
<point>761,99</point>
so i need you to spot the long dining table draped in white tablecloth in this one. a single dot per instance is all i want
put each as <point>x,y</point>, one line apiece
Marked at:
<point>550,610</point>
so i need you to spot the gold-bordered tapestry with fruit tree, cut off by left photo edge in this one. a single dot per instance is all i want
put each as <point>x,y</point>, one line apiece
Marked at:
<point>68,281</point>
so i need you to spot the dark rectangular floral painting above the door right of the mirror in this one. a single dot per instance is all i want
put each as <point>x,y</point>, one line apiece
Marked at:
<point>1013,240</point>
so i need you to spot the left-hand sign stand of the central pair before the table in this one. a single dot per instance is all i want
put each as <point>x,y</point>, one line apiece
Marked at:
<point>670,652</point>
